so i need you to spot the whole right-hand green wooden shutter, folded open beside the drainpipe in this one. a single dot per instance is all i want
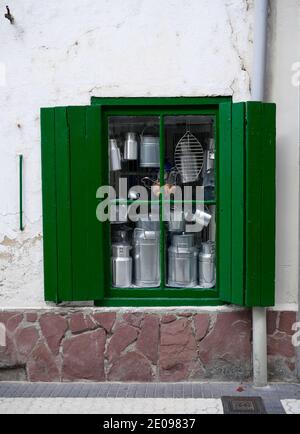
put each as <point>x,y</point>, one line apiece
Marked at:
<point>253,204</point>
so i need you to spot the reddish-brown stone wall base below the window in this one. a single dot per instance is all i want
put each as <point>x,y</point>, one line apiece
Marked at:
<point>92,345</point>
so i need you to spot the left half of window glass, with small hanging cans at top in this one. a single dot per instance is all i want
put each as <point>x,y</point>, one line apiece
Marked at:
<point>134,149</point>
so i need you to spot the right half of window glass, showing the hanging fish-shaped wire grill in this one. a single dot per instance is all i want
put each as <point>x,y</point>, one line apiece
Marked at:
<point>190,208</point>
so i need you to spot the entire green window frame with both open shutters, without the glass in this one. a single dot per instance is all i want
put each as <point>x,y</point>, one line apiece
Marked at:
<point>75,164</point>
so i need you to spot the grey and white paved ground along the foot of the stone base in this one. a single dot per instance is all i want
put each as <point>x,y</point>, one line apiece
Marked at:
<point>139,398</point>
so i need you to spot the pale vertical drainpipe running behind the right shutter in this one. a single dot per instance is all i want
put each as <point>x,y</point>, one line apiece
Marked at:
<point>259,315</point>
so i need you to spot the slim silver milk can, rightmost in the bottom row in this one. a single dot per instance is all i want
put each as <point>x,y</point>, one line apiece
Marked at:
<point>207,268</point>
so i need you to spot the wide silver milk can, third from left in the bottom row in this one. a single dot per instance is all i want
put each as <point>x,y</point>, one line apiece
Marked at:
<point>182,261</point>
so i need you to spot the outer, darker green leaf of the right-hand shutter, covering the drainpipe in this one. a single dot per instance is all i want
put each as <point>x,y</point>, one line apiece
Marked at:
<point>260,204</point>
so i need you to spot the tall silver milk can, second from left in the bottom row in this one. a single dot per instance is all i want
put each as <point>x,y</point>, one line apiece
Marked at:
<point>146,257</point>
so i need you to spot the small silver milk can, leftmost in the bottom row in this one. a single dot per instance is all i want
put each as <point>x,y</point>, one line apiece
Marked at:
<point>121,265</point>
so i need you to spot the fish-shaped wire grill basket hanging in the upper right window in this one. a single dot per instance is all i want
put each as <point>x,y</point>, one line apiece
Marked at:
<point>189,158</point>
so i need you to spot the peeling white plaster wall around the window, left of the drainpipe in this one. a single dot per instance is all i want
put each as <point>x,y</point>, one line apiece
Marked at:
<point>61,53</point>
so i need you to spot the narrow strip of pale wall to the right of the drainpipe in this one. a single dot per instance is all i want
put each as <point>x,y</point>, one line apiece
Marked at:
<point>283,56</point>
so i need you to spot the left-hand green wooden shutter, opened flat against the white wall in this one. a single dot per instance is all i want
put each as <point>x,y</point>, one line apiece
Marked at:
<point>71,174</point>
